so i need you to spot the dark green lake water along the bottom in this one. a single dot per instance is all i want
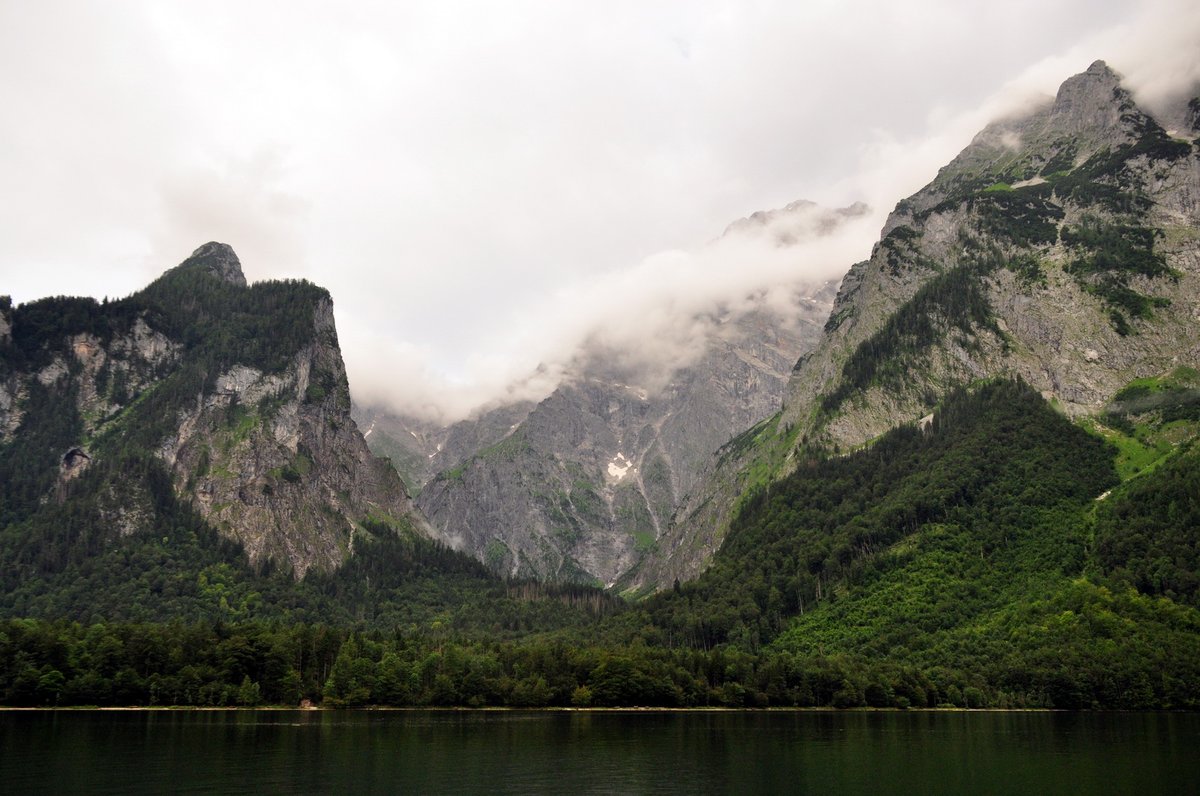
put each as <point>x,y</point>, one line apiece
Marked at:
<point>394,752</point>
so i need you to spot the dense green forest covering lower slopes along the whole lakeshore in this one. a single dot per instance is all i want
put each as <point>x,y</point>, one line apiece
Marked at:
<point>991,560</point>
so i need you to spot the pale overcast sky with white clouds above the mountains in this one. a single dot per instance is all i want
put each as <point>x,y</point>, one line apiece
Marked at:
<point>478,183</point>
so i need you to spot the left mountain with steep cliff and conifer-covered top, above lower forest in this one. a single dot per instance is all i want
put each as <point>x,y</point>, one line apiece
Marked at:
<point>199,394</point>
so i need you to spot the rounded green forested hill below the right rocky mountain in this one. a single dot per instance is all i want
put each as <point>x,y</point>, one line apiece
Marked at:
<point>991,556</point>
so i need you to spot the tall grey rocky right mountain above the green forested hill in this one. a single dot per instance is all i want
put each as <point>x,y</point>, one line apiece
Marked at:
<point>1061,248</point>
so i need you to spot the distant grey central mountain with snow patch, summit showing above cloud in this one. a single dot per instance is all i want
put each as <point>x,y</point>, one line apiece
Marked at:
<point>584,484</point>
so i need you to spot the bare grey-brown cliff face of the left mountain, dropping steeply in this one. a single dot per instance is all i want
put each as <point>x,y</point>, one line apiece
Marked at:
<point>283,468</point>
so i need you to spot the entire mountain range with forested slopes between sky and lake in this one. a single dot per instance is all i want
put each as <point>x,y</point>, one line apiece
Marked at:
<point>982,488</point>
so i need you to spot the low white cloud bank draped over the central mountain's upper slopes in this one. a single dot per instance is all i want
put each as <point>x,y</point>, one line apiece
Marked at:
<point>651,320</point>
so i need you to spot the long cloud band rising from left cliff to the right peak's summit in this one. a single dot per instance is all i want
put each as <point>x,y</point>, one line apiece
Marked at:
<point>657,314</point>
